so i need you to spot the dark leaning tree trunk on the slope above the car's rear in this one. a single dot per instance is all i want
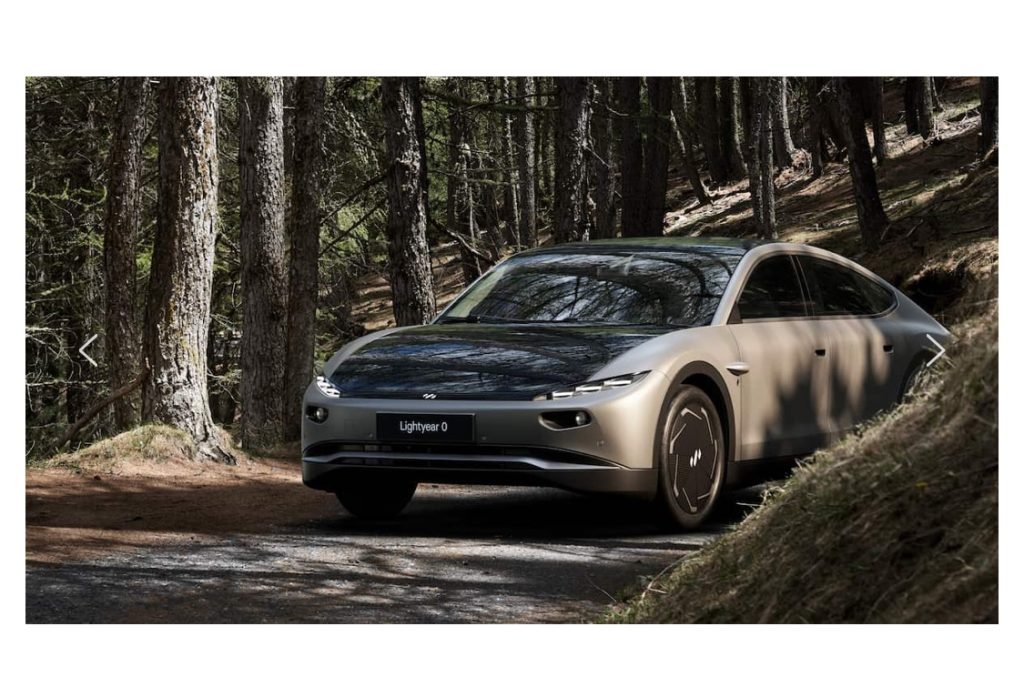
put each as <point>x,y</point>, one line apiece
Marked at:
<point>871,214</point>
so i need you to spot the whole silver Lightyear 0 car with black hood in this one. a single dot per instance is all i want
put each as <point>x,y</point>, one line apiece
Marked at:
<point>666,369</point>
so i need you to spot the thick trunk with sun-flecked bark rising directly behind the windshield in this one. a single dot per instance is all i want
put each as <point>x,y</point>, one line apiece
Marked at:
<point>572,144</point>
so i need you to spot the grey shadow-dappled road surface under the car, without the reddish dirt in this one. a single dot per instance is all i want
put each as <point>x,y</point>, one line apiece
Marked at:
<point>456,555</point>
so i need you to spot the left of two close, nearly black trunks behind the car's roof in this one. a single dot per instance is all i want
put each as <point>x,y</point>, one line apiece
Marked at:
<point>631,156</point>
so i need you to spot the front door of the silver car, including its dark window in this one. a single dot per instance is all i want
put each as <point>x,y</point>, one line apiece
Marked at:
<point>784,368</point>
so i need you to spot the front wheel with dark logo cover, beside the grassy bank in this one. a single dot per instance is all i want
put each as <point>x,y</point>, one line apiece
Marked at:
<point>692,459</point>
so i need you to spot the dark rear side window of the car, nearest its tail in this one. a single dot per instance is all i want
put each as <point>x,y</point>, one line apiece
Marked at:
<point>838,291</point>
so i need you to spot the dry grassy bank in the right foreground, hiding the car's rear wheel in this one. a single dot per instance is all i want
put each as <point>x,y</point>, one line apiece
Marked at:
<point>899,524</point>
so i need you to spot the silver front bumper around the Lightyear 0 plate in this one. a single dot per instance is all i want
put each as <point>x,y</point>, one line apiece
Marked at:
<point>613,454</point>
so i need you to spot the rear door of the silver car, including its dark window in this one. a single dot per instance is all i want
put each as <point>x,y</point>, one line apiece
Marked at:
<point>868,348</point>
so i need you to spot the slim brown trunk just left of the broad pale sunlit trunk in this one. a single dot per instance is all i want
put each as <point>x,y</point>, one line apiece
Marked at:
<point>124,201</point>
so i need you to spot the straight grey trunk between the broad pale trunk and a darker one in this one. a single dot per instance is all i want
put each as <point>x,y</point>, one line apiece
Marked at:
<point>265,290</point>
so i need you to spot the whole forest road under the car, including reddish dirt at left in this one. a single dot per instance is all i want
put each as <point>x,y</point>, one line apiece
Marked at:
<point>268,550</point>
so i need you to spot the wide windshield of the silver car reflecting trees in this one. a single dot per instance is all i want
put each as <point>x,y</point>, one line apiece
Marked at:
<point>679,288</point>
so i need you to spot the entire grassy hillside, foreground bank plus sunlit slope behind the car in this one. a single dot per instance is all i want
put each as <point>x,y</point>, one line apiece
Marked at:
<point>899,523</point>
